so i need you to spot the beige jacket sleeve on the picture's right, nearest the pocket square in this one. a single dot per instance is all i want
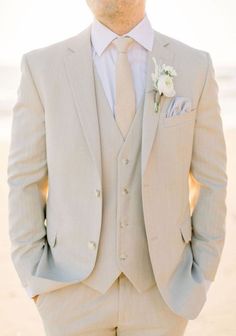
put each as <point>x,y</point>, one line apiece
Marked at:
<point>209,179</point>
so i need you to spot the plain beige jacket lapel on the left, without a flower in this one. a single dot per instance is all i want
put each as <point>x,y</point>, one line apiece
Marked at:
<point>79,67</point>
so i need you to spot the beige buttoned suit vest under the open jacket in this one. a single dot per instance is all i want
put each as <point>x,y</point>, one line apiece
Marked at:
<point>123,243</point>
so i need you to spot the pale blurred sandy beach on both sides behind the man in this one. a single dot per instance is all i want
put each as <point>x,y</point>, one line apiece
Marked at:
<point>19,316</point>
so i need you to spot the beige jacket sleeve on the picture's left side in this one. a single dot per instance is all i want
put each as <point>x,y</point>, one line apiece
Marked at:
<point>27,177</point>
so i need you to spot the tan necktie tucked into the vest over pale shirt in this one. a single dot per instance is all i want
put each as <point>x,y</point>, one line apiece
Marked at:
<point>124,92</point>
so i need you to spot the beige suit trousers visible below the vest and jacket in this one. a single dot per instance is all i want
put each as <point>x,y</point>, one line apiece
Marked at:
<point>80,310</point>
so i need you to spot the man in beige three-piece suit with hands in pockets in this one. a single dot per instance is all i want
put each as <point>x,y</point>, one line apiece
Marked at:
<point>117,187</point>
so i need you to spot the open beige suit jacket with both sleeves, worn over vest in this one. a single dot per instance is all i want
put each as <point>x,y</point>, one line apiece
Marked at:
<point>54,172</point>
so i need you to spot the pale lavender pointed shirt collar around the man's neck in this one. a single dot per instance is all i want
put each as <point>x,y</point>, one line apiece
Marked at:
<point>102,36</point>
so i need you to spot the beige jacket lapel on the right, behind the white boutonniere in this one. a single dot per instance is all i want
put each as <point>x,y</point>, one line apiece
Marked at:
<point>163,54</point>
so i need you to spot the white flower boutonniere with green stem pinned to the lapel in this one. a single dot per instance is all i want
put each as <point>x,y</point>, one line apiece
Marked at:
<point>163,82</point>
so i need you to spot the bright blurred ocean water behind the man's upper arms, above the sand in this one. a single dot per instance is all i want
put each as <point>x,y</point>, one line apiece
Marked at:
<point>10,78</point>
